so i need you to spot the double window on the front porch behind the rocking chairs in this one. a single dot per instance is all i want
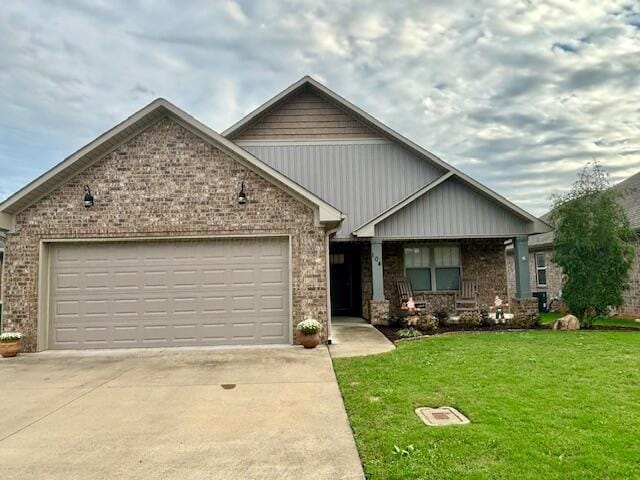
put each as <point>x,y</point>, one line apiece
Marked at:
<point>433,267</point>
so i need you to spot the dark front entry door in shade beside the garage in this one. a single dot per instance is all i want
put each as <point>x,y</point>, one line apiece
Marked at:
<point>345,282</point>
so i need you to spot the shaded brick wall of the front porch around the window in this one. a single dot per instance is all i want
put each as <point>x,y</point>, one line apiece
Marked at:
<point>481,260</point>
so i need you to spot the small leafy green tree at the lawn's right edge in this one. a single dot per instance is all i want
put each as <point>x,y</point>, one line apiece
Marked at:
<point>592,244</point>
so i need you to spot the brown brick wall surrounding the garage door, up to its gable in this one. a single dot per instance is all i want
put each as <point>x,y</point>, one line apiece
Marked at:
<point>164,182</point>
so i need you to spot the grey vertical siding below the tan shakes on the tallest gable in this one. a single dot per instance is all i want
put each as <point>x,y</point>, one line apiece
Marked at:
<point>361,180</point>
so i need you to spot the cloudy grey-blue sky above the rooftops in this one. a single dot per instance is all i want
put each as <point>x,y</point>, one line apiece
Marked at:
<point>518,94</point>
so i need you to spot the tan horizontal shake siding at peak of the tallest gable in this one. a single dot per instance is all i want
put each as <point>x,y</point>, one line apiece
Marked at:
<point>306,116</point>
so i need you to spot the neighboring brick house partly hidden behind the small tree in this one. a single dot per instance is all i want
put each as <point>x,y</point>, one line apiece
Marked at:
<point>546,276</point>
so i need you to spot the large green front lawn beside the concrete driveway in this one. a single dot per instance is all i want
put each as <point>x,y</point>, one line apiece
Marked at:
<point>563,405</point>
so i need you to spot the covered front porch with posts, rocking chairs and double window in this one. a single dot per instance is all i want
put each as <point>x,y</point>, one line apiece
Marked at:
<point>365,275</point>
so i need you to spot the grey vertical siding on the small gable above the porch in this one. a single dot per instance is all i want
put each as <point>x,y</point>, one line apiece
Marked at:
<point>452,210</point>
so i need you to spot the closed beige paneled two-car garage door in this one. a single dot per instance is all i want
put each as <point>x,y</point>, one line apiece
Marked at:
<point>155,294</point>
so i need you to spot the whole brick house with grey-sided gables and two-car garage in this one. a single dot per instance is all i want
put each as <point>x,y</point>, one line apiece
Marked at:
<point>306,207</point>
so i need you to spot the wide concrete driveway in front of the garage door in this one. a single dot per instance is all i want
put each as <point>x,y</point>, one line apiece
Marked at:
<point>175,413</point>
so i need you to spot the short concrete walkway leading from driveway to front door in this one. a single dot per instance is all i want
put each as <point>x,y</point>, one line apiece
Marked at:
<point>354,337</point>
